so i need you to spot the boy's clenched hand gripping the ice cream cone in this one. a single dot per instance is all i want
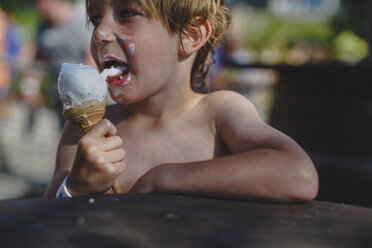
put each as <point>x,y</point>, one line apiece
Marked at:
<point>98,162</point>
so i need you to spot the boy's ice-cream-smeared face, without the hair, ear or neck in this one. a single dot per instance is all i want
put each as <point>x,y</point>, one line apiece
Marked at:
<point>140,46</point>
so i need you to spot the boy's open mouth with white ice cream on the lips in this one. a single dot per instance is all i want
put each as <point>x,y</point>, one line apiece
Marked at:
<point>116,73</point>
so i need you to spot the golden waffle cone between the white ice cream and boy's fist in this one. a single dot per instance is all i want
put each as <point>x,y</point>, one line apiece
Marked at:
<point>86,115</point>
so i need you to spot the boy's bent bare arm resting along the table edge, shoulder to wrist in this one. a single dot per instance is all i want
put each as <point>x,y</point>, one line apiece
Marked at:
<point>265,165</point>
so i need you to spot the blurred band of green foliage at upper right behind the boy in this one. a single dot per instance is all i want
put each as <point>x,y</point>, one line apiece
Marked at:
<point>262,33</point>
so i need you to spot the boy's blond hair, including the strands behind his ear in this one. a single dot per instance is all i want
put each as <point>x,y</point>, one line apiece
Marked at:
<point>178,17</point>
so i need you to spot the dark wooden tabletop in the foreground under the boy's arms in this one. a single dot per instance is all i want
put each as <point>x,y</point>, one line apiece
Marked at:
<point>180,221</point>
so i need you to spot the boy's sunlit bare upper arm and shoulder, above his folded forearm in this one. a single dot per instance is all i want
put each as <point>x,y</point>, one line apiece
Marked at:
<point>238,123</point>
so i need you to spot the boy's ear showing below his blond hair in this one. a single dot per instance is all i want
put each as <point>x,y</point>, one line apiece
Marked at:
<point>194,38</point>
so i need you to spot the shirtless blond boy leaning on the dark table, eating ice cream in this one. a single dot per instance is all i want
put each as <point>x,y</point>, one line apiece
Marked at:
<point>164,137</point>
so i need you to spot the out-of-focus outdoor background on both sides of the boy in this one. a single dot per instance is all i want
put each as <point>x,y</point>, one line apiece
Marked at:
<point>305,64</point>
